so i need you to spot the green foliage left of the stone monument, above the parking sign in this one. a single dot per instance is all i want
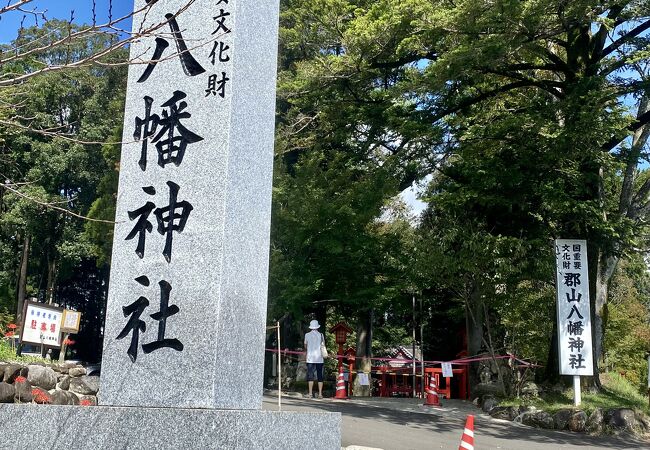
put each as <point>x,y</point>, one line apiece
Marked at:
<point>56,156</point>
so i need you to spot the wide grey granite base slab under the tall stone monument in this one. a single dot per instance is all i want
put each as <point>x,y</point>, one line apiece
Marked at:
<point>73,427</point>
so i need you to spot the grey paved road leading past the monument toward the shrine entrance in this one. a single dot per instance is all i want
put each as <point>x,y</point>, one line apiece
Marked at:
<point>403,424</point>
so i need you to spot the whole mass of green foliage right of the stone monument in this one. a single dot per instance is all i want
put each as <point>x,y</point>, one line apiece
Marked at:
<point>516,110</point>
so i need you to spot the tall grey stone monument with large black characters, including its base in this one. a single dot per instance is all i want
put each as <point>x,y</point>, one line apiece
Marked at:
<point>184,336</point>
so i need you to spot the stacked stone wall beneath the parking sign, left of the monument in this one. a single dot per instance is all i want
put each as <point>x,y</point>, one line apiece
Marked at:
<point>51,384</point>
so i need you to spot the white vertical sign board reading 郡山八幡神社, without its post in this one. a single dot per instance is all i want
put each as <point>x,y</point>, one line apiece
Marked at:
<point>573,311</point>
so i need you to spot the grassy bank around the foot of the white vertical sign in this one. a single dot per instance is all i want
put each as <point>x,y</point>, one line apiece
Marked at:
<point>617,392</point>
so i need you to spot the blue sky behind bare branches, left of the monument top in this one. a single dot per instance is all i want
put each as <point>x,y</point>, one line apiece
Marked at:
<point>61,9</point>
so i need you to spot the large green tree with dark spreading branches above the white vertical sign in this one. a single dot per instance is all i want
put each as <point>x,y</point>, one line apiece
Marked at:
<point>533,112</point>
